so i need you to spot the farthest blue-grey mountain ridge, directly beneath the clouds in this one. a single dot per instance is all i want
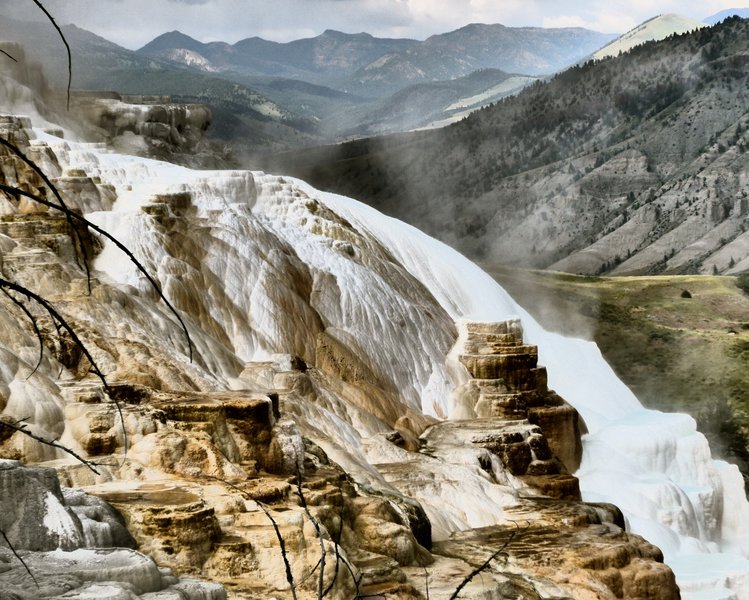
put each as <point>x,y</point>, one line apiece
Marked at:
<point>365,65</point>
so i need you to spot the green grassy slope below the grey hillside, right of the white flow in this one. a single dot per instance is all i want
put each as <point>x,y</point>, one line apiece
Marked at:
<point>679,342</point>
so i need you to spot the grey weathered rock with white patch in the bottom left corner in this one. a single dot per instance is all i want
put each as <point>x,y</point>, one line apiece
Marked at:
<point>63,541</point>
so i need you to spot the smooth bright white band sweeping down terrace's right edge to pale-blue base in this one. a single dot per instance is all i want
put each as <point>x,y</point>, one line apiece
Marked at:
<point>653,465</point>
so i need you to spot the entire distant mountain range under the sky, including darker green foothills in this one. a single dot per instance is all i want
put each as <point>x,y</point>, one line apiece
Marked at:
<point>267,96</point>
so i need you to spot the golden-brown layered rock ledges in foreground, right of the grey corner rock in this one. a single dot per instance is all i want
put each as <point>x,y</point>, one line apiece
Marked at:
<point>208,478</point>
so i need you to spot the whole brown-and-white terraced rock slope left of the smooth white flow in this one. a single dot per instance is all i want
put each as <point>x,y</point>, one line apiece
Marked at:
<point>312,409</point>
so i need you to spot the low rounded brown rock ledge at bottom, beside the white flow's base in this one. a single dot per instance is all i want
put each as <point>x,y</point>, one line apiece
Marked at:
<point>590,557</point>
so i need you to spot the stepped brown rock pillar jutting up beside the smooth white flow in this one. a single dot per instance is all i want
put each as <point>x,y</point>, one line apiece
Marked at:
<point>534,431</point>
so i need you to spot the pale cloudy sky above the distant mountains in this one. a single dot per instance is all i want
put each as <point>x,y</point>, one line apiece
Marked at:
<point>132,23</point>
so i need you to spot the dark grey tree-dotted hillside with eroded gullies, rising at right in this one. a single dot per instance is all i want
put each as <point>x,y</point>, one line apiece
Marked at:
<point>634,164</point>
